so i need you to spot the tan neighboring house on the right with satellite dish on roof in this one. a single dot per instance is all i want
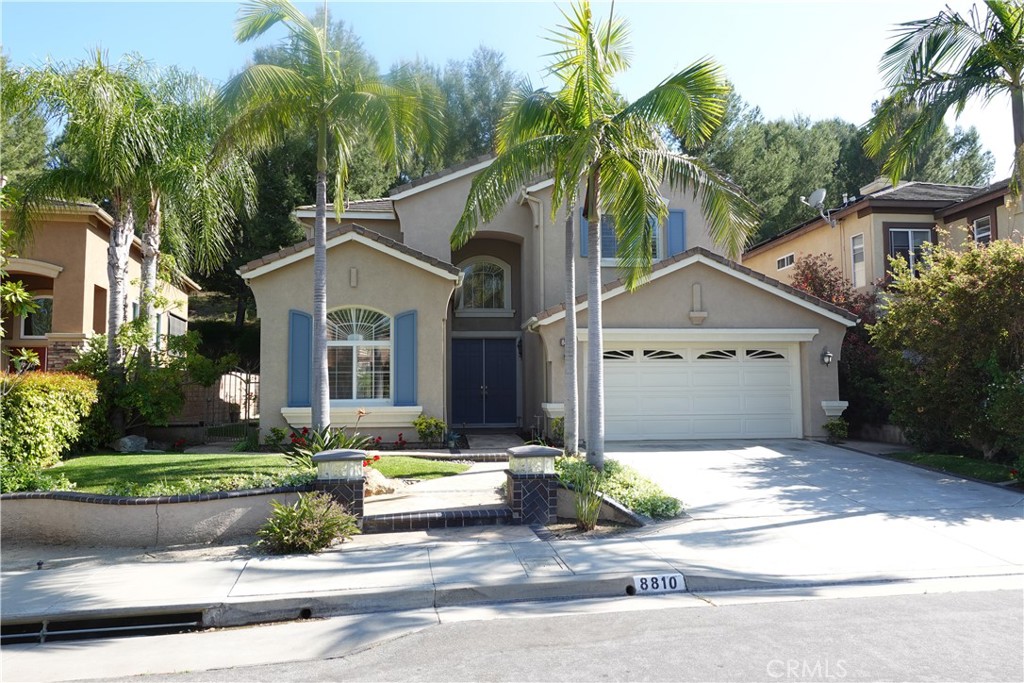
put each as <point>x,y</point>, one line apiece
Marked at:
<point>888,222</point>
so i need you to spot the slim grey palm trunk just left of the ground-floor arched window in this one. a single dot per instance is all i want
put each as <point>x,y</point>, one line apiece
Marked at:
<point>321,398</point>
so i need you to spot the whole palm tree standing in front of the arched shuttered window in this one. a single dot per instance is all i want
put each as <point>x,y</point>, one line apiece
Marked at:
<point>319,93</point>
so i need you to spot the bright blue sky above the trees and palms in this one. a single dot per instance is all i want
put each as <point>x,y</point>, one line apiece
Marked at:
<point>818,60</point>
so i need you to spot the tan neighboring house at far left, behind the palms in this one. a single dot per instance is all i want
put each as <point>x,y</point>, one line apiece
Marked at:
<point>65,268</point>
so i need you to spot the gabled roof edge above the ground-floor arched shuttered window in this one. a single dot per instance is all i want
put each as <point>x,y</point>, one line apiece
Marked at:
<point>342,235</point>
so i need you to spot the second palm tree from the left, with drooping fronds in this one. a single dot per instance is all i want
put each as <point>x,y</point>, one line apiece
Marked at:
<point>187,189</point>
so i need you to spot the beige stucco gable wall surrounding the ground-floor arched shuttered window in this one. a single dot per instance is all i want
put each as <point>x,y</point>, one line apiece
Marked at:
<point>386,284</point>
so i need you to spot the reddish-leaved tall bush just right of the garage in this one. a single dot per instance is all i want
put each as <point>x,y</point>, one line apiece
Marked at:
<point>861,380</point>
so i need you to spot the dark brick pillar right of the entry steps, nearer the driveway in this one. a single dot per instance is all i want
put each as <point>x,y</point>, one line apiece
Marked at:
<point>533,485</point>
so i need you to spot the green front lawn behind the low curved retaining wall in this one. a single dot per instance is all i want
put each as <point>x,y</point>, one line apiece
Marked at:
<point>97,474</point>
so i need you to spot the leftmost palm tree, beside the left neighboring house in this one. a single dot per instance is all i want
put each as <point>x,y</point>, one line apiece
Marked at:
<point>111,131</point>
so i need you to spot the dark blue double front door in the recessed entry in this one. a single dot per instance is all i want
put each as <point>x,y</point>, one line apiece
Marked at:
<point>484,382</point>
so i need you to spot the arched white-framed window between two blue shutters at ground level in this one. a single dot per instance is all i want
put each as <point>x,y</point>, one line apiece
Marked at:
<point>359,356</point>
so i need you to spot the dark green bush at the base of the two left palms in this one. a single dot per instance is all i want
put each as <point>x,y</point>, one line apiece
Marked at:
<point>151,393</point>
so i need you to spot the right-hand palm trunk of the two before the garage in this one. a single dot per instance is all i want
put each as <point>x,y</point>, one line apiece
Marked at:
<point>595,344</point>
